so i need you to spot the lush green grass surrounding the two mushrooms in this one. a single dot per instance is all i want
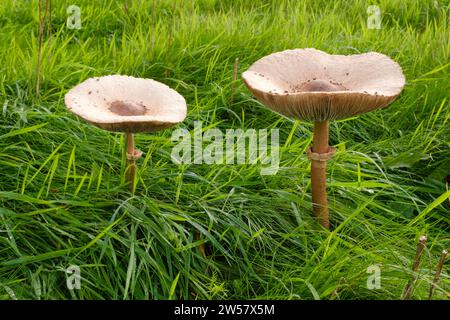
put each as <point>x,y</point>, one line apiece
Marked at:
<point>63,200</point>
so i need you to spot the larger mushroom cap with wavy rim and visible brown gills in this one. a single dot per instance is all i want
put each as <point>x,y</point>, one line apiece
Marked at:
<point>310,84</point>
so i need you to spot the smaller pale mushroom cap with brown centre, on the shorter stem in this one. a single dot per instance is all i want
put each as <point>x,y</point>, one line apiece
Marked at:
<point>126,104</point>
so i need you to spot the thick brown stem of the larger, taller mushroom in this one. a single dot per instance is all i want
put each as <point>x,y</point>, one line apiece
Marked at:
<point>318,173</point>
